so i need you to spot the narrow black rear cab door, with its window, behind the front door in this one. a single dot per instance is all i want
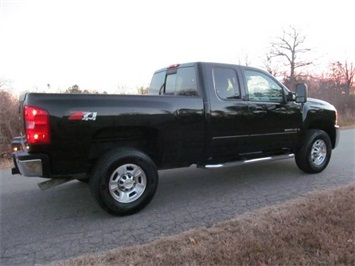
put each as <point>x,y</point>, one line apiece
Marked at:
<point>227,115</point>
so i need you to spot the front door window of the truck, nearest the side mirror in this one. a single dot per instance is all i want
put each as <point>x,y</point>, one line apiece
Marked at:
<point>262,88</point>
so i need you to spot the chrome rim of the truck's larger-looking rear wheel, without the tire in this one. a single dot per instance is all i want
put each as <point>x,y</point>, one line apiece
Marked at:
<point>127,183</point>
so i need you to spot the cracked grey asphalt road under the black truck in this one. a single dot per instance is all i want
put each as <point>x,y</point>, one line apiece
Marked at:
<point>39,227</point>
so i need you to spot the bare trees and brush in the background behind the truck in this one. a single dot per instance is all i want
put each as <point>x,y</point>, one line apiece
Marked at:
<point>285,59</point>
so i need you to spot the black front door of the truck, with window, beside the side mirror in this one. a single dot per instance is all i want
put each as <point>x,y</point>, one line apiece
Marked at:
<point>274,123</point>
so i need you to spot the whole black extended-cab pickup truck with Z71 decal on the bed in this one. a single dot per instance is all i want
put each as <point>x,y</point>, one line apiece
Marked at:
<point>208,114</point>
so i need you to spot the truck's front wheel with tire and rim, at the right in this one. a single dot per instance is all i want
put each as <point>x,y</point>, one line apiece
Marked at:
<point>314,155</point>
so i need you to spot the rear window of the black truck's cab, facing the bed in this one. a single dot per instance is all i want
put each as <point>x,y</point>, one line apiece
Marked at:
<point>181,82</point>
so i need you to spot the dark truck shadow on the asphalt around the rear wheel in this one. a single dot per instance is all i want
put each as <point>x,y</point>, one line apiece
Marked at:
<point>178,189</point>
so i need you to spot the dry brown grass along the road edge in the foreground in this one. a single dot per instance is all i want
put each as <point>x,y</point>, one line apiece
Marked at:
<point>316,230</point>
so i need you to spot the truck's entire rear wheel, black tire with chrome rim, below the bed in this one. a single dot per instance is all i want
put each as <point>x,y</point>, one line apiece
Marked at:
<point>124,181</point>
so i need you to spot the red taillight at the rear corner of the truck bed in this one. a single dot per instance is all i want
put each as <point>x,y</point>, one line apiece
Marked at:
<point>37,125</point>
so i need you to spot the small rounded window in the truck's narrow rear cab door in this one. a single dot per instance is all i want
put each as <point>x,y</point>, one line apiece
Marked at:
<point>226,83</point>
